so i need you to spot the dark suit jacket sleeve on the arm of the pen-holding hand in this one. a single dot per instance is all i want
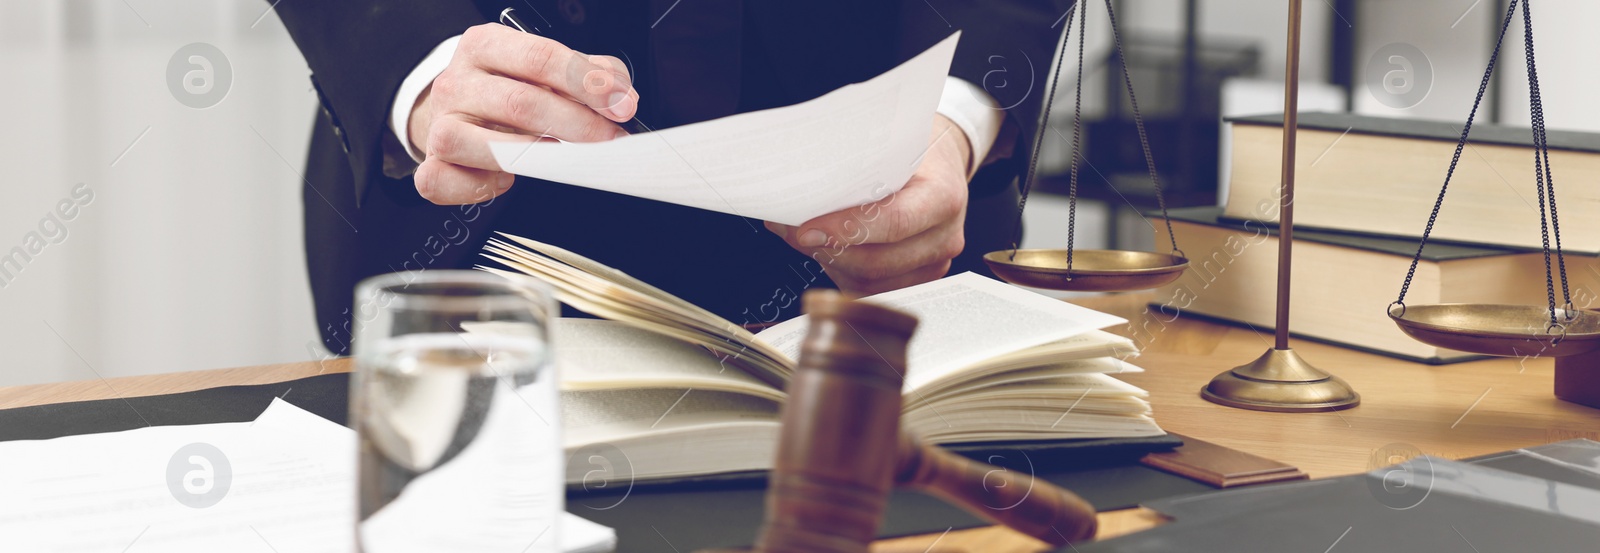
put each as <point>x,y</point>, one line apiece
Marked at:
<point>359,54</point>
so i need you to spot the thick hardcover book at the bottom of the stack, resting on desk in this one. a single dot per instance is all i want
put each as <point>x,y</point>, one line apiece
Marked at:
<point>1343,284</point>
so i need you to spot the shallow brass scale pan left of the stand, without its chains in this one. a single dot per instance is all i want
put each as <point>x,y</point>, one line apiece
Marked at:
<point>1094,271</point>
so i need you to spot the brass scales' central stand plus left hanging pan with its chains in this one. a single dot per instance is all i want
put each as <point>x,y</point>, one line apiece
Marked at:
<point>1281,380</point>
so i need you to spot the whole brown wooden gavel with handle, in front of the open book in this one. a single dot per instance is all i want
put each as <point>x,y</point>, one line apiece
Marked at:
<point>842,447</point>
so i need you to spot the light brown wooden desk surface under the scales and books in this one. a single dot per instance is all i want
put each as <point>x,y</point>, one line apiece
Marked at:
<point>1449,412</point>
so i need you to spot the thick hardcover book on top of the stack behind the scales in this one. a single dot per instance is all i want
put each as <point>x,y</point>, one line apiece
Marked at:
<point>1375,175</point>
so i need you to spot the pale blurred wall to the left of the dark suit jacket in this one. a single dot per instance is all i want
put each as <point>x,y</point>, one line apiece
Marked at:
<point>188,257</point>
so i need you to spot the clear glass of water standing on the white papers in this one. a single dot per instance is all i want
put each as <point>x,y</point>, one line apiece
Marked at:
<point>457,410</point>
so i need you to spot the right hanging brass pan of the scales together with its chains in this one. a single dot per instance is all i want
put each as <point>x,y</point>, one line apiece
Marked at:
<point>1508,330</point>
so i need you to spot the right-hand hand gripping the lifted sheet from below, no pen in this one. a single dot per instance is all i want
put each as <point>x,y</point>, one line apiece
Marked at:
<point>908,239</point>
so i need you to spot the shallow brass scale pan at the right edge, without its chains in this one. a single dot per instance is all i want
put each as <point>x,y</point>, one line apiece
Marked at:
<point>1500,330</point>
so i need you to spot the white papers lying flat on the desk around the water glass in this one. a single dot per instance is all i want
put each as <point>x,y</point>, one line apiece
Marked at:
<point>290,488</point>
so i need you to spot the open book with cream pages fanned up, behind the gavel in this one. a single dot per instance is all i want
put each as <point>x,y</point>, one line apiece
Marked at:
<point>684,392</point>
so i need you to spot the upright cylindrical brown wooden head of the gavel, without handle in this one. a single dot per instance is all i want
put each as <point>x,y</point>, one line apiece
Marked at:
<point>841,428</point>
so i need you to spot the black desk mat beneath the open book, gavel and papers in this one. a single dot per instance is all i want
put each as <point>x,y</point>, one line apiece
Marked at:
<point>647,517</point>
